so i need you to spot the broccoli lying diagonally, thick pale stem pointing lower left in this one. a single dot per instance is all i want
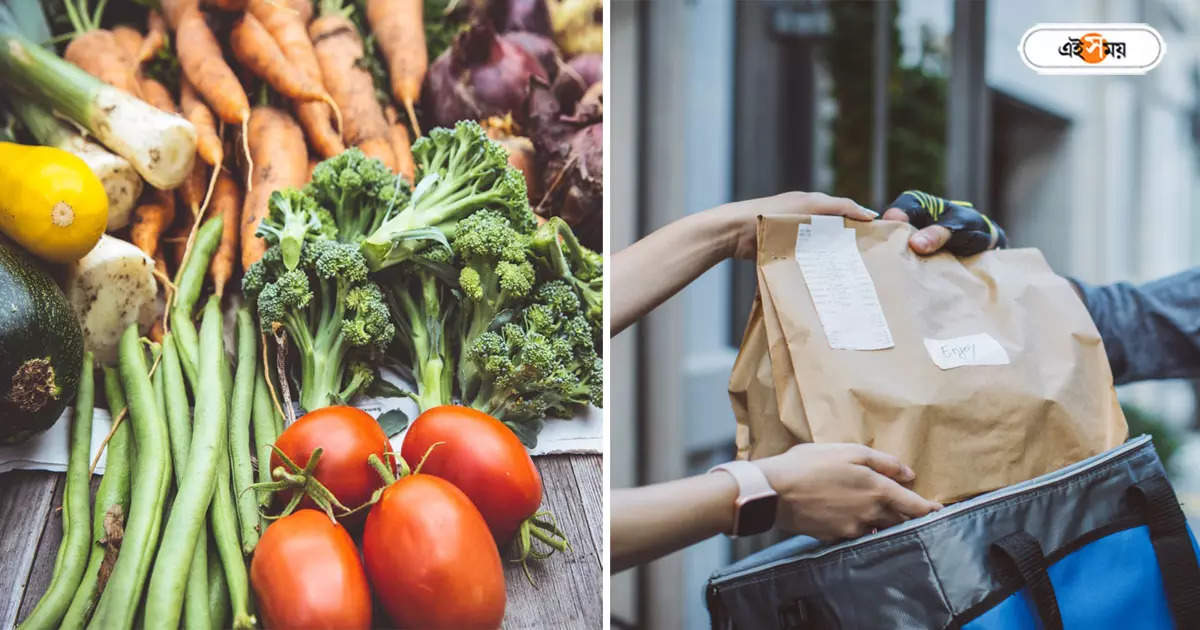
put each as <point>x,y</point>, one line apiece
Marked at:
<point>460,172</point>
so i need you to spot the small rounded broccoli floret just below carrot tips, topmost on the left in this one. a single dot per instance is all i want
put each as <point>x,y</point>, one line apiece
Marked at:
<point>358,193</point>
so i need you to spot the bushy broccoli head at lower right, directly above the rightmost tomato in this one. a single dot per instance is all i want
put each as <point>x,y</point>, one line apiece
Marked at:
<point>542,364</point>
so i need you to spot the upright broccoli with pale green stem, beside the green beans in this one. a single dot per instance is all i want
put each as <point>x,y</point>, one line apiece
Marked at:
<point>337,317</point>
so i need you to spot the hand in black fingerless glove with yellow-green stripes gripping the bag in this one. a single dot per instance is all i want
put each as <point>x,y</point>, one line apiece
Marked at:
<point>956,226</point>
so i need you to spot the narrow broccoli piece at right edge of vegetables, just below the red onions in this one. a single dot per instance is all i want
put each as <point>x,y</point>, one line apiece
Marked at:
<point>560,255</point>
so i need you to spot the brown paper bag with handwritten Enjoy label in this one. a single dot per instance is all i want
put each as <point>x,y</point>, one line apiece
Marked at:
<point>965,430</point>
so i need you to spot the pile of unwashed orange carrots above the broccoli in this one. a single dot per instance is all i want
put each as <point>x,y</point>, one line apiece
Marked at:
<point>314,99</point>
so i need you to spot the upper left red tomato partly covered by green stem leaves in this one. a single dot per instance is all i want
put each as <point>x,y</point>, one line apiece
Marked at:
<point>347,437</point>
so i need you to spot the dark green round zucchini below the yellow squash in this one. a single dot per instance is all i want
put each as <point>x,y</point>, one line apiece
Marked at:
<point>41,347</point>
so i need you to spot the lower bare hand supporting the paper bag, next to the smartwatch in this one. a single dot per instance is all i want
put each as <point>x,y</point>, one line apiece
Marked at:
<point>841,491</point>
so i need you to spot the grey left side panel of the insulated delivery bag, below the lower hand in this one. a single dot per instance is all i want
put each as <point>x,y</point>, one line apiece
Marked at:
<point>890,586</point>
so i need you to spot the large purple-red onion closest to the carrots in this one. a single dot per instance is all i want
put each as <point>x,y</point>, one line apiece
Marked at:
<point>481,76</point>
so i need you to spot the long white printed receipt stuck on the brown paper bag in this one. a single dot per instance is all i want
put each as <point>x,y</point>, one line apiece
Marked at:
<point>841,286</point>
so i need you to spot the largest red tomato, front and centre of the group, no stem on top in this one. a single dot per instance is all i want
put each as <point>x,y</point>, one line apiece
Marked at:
<point>431,560</point>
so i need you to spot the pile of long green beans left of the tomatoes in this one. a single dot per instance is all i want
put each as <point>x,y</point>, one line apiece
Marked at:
<point>172,526</point>
